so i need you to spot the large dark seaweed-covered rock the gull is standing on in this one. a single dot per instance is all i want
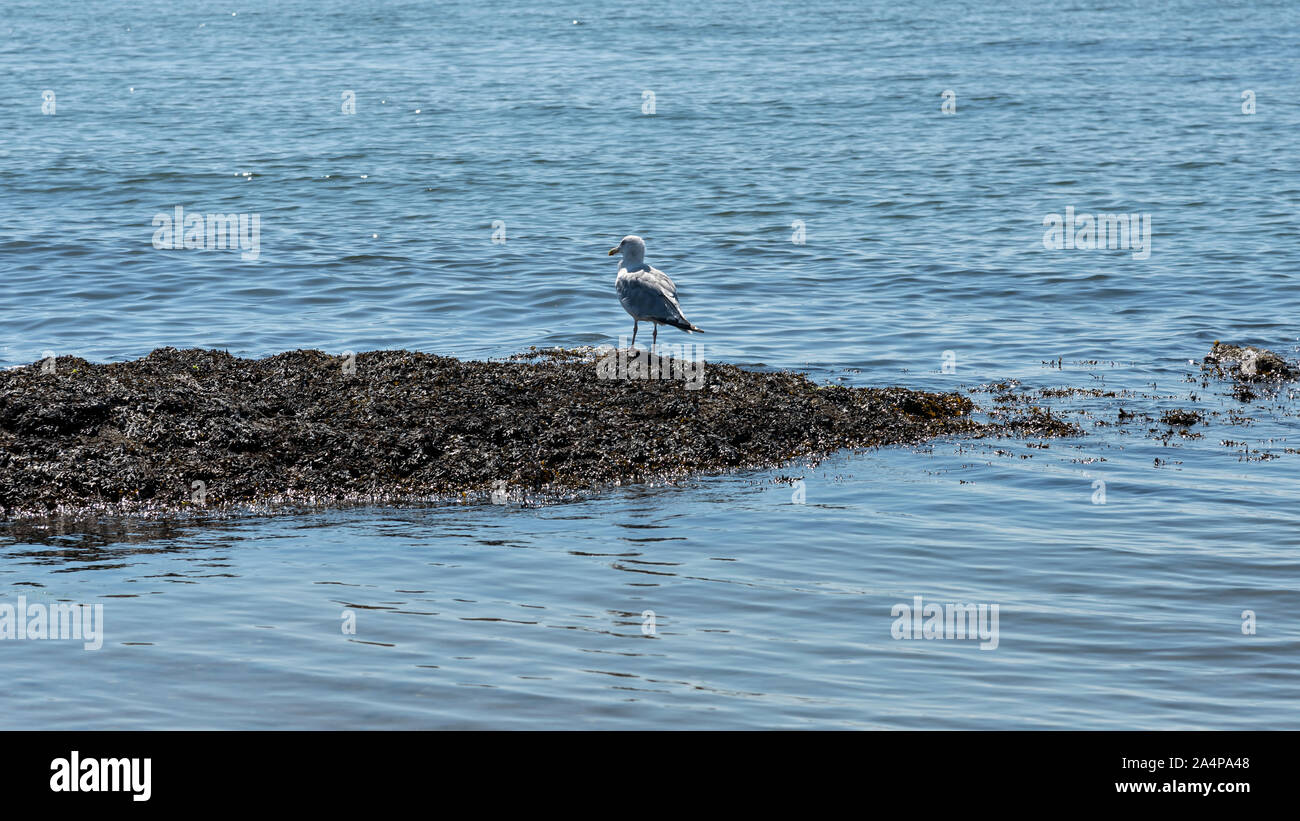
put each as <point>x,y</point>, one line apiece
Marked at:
<point>202,431</point>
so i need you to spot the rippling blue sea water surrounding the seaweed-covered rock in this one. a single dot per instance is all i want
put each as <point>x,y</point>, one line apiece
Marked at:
<point>924,236</point>
